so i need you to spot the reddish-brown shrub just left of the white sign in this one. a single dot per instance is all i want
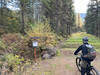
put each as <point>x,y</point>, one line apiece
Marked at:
<point>17,44</point>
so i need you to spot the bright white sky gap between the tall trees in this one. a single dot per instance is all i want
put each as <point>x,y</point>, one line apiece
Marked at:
<point>81,6</point>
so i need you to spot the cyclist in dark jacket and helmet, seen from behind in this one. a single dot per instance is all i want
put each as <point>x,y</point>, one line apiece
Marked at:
<point>84,57</point>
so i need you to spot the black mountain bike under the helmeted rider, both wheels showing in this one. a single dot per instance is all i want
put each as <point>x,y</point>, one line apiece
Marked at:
<point>89,68</point>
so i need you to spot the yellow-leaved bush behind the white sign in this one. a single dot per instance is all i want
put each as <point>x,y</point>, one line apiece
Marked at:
<point>43,31</point>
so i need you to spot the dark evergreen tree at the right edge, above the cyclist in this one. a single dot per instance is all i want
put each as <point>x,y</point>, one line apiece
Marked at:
<point>92,23</point>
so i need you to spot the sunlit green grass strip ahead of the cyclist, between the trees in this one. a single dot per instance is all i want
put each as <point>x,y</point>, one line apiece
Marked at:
<point>76,40</point>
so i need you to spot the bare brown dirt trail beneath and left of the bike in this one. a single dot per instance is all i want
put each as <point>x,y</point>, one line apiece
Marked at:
<point>62,65</point>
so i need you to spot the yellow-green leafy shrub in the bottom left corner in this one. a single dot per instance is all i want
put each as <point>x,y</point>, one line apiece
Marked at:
<point>12,61</point>
